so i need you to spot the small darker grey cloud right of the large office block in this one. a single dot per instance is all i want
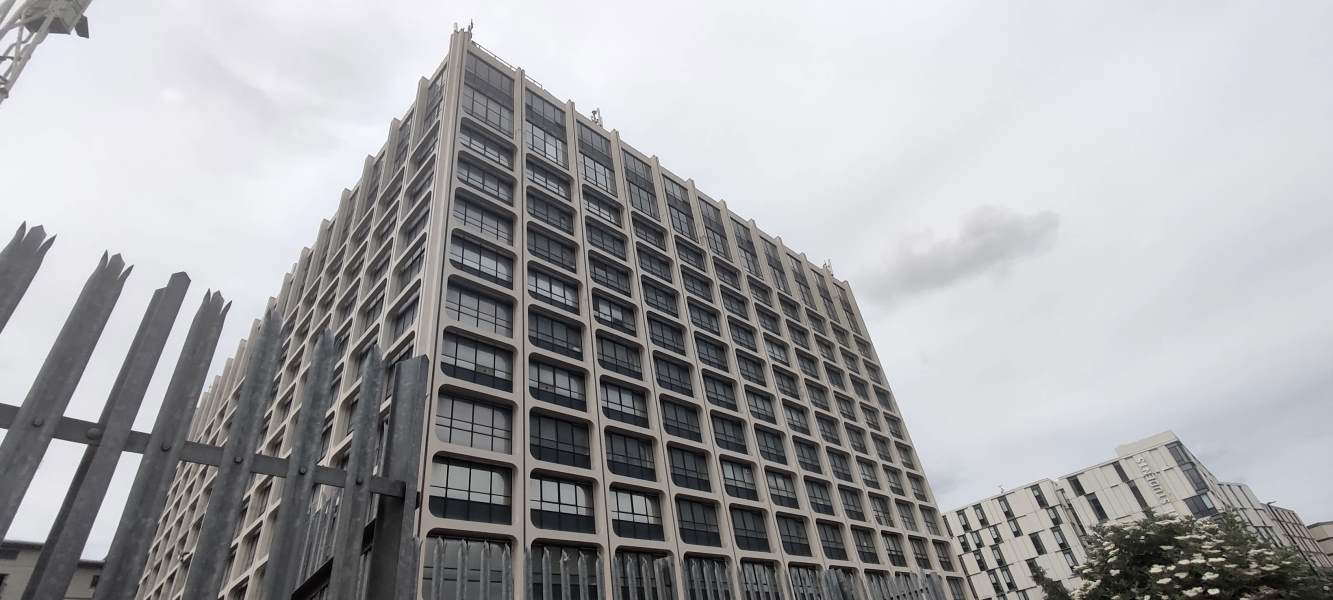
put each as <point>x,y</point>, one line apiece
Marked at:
<point>990,241</point>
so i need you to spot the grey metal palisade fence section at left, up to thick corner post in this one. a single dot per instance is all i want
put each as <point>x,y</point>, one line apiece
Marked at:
<point>325,542</point>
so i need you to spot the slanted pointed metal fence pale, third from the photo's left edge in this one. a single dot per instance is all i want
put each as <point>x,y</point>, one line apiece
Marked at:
<point>65,545</point>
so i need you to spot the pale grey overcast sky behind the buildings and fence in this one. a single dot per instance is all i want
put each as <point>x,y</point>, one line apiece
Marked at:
<point>1079,223</point>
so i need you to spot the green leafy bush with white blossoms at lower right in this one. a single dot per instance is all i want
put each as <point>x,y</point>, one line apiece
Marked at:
<point>1184,558</point>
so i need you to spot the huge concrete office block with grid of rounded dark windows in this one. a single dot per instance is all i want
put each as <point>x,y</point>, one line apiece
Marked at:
<point>634,386</point>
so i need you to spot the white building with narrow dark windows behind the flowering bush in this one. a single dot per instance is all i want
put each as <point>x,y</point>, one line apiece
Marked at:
<point>1006,538</point>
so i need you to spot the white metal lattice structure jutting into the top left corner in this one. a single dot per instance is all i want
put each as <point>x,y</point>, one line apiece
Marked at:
<point>26,26</point>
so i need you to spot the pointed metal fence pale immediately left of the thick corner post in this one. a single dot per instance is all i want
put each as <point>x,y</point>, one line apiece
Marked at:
<point>357,493</point>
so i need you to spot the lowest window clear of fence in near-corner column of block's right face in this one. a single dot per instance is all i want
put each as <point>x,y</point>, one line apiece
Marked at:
<point>470,491</point>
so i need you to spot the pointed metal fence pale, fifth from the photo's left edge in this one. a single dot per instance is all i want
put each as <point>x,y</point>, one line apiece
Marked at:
<point>234,474</point>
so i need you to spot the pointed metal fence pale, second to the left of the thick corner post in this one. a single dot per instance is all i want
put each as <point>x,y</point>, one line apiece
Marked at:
<point>294,517</point>
